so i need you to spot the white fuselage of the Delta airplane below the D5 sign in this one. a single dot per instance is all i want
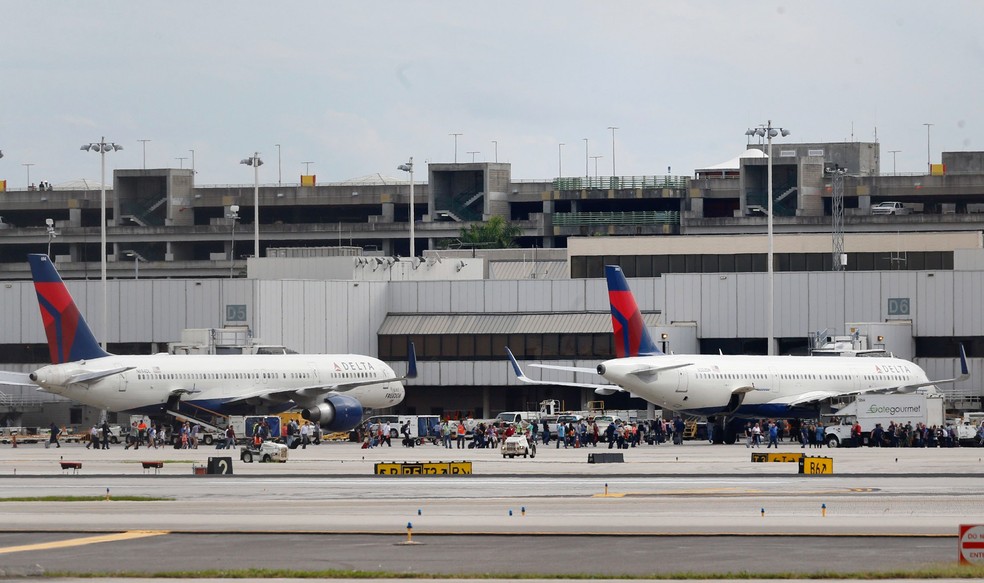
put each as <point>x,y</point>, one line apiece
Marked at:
<point>211,381</point>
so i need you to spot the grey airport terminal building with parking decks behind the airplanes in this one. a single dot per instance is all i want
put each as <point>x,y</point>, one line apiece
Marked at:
<point>330,277</point>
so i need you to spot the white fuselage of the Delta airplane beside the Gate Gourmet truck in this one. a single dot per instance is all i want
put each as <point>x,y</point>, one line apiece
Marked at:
<point>707,385</point>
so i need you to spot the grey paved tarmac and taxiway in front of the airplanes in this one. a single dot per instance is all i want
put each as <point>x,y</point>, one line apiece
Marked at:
<point>666,509</point>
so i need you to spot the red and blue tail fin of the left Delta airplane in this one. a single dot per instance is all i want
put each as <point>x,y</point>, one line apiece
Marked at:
<point>69,337</point>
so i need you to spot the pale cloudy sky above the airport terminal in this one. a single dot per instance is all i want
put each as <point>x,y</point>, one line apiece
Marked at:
<point>356,88</point>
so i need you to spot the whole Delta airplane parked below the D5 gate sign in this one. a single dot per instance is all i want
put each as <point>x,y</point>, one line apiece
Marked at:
<point>330,389</point>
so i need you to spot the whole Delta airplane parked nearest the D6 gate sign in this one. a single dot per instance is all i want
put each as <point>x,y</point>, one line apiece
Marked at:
<point>729,387</point>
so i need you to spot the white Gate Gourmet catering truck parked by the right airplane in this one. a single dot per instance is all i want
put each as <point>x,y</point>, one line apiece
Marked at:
<point>873,410</point>
